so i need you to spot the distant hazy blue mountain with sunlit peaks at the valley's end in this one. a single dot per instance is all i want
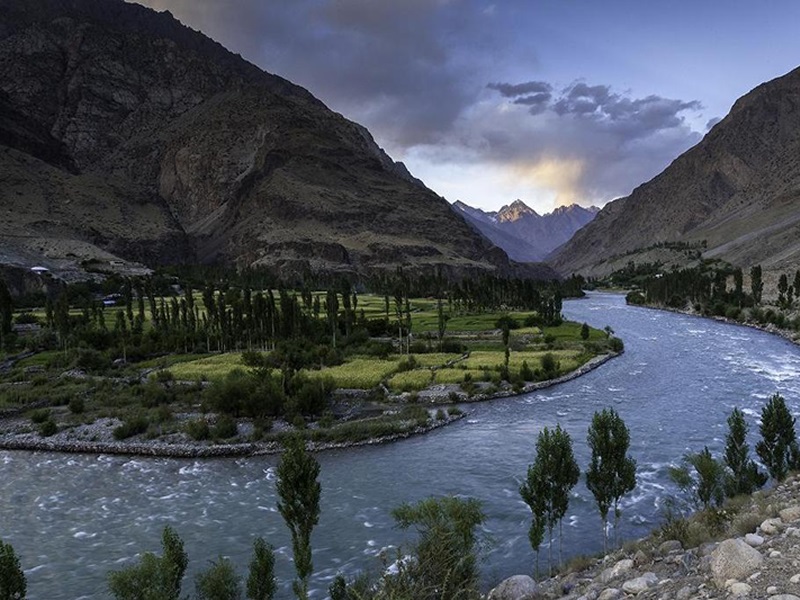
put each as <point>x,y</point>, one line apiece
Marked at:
<point>522,232</point>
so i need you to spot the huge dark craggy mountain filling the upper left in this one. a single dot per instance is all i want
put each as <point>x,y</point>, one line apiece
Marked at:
<point>126,135</point>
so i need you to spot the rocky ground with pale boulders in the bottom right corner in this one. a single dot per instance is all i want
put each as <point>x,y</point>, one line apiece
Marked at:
<point>761,563</point>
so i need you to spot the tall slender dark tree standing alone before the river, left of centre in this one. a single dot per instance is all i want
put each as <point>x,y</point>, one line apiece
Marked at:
<point>298,502</point>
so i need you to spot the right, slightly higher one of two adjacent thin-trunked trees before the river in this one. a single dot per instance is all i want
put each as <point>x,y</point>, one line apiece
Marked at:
<point>612,473</point>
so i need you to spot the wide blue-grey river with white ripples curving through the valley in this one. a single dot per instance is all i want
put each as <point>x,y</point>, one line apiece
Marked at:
<point>73,518</point>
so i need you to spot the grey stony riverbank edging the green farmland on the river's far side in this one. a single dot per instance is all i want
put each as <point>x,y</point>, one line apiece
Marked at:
<point>97,437</point>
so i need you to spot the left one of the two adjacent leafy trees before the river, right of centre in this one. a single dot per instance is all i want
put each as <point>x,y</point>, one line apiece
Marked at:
<point>552,475</point>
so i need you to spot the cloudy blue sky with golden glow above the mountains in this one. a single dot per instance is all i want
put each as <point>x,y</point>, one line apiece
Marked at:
<point>548,101</point>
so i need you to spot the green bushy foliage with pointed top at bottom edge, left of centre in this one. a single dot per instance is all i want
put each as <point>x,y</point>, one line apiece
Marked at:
<point>153,577</point>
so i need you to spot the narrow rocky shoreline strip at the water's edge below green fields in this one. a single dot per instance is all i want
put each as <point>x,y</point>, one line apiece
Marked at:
<point>190,449</point>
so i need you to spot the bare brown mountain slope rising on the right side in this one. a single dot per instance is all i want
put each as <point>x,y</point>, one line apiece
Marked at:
<point>733,196</point>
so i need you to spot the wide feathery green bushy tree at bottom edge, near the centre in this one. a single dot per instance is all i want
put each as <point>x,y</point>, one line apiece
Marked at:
<point>445,564</point>
